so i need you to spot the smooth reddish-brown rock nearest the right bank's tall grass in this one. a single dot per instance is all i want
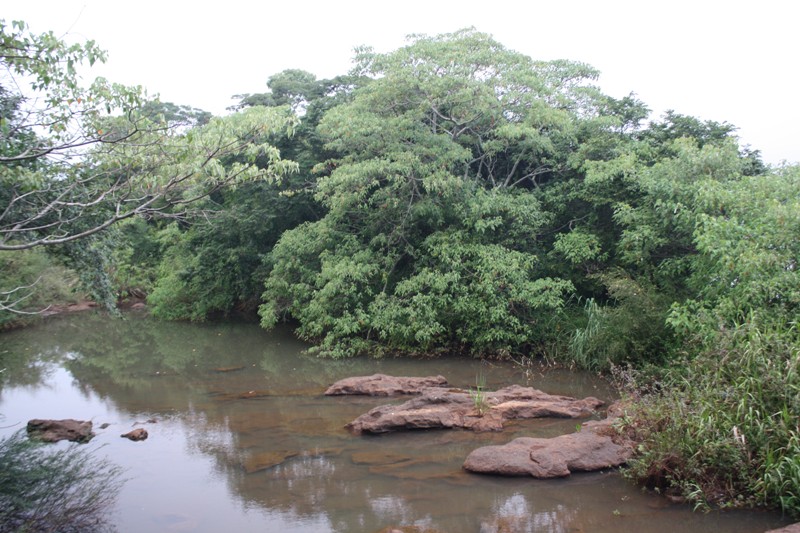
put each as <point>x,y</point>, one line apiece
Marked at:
<point>591,448</point>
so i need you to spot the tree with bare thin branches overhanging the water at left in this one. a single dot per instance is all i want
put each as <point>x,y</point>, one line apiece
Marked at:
<point>75,159</point>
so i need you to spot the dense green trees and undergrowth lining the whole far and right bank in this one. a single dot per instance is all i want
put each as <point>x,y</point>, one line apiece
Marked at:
<point>450,196</point>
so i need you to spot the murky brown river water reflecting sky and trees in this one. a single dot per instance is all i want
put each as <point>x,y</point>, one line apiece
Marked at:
<point>246,441</point>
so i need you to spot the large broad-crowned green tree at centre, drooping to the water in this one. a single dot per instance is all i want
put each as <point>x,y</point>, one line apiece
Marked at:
<point>430,191</point>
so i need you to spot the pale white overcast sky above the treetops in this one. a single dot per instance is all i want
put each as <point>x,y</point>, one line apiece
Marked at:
<point>734,61</point>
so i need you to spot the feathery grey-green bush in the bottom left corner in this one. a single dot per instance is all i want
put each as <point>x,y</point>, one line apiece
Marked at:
<point>64,489</point>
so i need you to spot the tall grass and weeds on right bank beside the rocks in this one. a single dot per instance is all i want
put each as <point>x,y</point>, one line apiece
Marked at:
<point>725,427</point>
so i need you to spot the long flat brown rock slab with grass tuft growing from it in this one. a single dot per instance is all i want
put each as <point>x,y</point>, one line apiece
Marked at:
<point>438,408</point>
